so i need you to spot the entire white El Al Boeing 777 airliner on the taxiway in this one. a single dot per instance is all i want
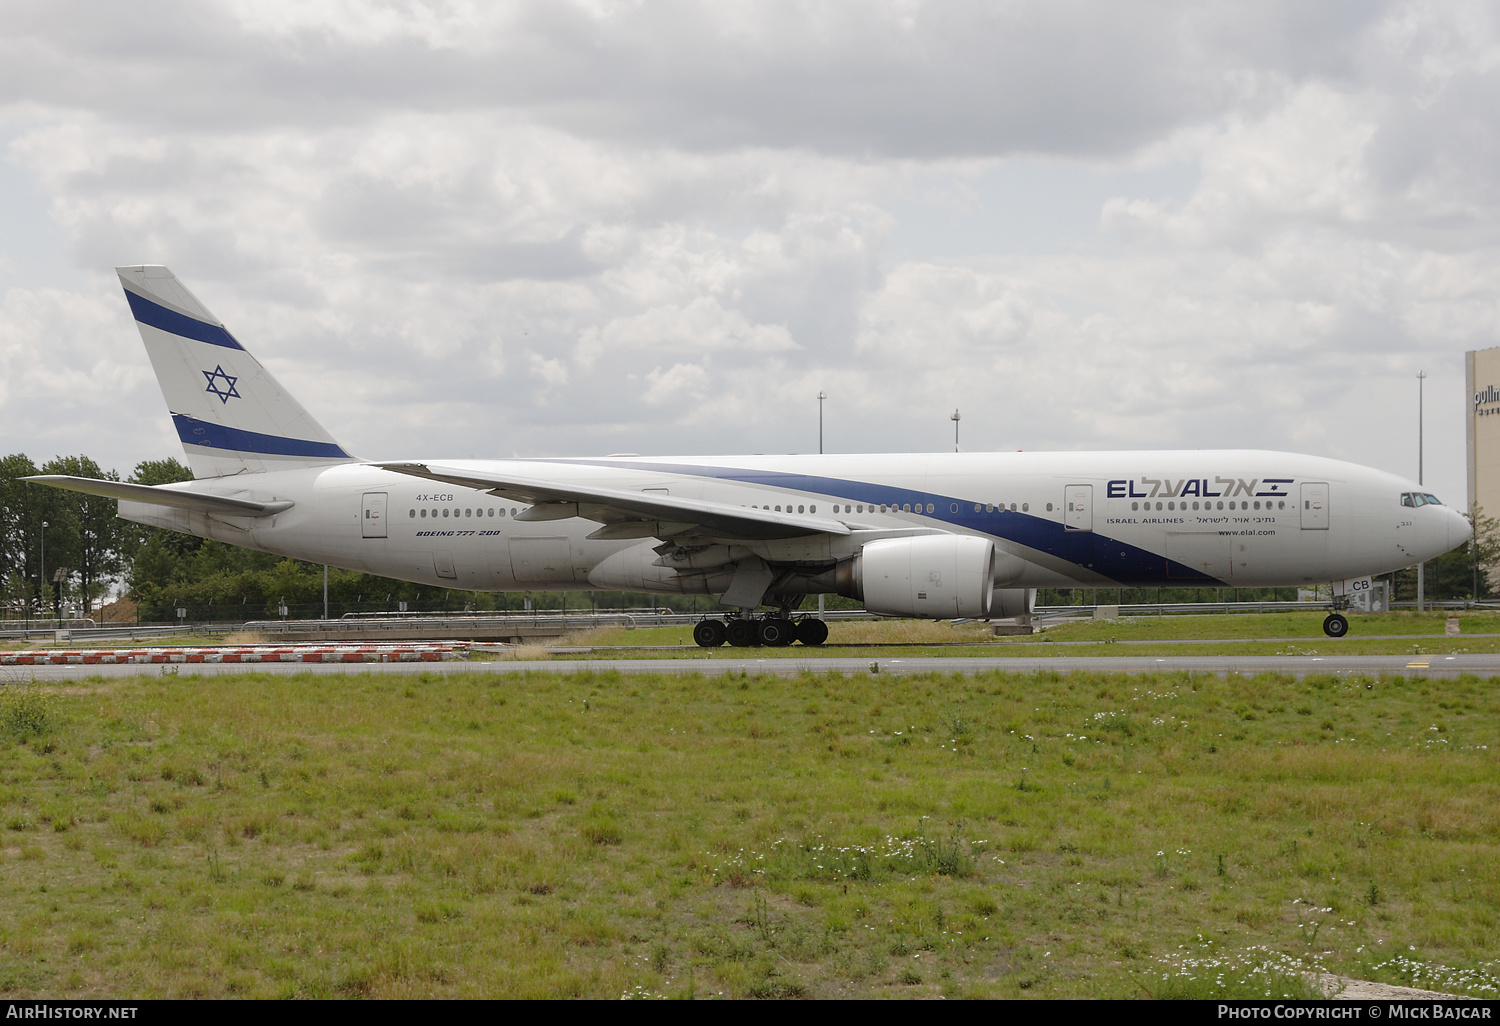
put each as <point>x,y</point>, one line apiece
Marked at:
<point>935,536</point>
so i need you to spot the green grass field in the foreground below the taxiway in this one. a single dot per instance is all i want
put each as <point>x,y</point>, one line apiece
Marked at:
<point>608,836</point>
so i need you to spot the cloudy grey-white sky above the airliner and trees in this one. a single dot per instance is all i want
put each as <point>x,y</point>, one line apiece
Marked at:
<point>577,229</point>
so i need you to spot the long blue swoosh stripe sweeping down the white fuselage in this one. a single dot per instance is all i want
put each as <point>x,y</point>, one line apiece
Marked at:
<point>1109,557</point>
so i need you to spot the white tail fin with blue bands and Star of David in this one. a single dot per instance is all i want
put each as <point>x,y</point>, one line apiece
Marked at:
<point>232,416</point>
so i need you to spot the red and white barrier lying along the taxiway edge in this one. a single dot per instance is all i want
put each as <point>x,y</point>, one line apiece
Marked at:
<point>410,653</point>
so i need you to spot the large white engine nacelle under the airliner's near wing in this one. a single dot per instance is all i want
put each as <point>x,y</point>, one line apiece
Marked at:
<point>931,575</point>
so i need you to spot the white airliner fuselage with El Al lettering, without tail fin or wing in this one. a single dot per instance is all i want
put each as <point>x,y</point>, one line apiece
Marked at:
<point>1201,518</point>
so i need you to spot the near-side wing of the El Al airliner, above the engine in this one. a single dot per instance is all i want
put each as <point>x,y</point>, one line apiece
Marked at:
<point>626,514</point>
